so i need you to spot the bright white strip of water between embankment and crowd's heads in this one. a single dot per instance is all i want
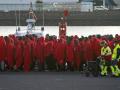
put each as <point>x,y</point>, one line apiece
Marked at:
<point>71,30</point>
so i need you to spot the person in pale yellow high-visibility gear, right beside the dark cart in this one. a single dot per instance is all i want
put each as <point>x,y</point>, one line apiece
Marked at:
<point>106,55</point>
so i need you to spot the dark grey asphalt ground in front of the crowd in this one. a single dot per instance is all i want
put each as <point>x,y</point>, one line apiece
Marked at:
<point>55,81</point>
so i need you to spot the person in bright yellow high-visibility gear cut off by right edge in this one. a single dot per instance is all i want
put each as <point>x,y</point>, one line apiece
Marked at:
<point>116,58</point>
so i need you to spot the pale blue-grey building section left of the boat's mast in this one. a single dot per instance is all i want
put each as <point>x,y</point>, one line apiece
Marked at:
<point>11,5</point>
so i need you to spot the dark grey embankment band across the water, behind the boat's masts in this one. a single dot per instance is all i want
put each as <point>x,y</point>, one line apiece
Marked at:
<point>75,18</point>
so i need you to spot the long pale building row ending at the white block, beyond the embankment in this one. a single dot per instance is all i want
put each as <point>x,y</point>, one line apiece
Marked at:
<point>84,6</point>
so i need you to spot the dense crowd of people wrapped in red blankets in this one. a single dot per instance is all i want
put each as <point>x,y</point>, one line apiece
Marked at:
<point>51,53</point>
